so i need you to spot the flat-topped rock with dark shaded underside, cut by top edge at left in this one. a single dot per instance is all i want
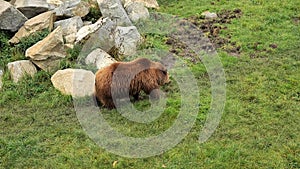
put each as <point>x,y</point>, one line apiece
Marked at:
<point>31,8</point>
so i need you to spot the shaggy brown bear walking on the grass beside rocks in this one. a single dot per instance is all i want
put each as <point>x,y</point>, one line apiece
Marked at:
<point>123,79</point>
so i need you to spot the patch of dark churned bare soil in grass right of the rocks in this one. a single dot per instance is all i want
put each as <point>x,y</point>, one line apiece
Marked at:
<point>211,29</point>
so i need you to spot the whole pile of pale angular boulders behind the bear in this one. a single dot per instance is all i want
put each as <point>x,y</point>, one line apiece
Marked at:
<point>64,19</point>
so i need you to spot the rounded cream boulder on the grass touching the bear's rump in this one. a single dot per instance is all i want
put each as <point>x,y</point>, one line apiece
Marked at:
<point>75,82</point>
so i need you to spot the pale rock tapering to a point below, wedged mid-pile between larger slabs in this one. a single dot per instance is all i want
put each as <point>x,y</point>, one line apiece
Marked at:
<point>69,28</point>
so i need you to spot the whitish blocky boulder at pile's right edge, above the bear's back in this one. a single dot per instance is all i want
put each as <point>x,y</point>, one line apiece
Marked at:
<point>127,39</point>
